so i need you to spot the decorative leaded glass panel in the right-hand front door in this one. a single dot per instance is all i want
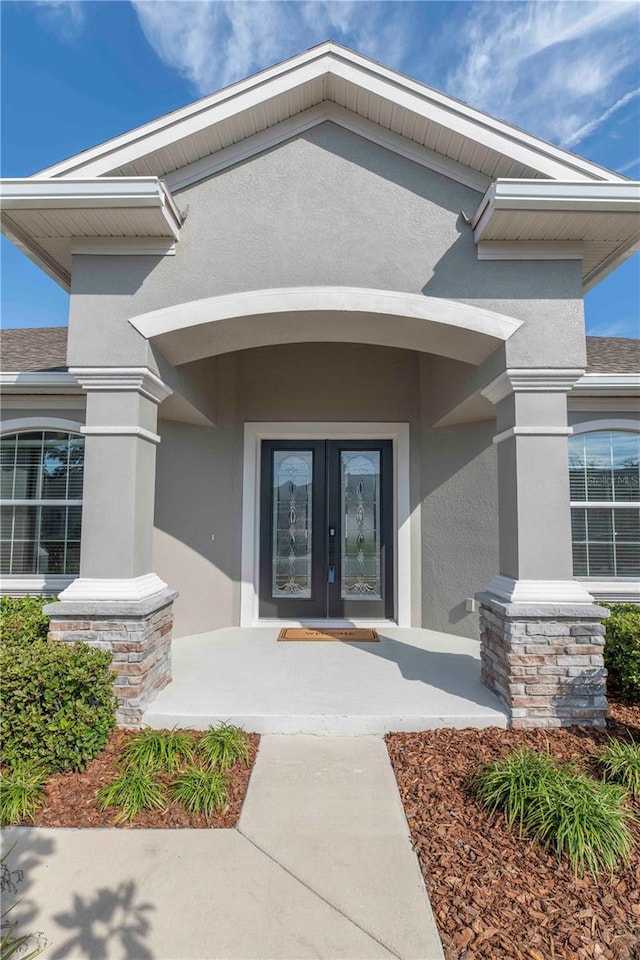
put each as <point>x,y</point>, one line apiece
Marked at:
<point>360,504</point>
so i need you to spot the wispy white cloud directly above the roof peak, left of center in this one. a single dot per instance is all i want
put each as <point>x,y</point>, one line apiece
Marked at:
<point>214,42</point>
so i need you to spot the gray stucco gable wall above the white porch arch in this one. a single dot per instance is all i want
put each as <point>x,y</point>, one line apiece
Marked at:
<point>326,208</point>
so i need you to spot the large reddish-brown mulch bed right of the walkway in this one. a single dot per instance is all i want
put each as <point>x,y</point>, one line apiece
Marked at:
<point>494,895</point>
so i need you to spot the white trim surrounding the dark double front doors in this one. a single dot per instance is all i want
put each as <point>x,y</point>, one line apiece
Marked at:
<point>398,433</point>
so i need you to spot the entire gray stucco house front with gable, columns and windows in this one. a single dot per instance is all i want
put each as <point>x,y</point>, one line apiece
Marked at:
<point>326,363</point>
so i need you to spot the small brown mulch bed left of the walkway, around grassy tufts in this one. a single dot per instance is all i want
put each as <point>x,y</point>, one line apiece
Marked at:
<point>70,796</point>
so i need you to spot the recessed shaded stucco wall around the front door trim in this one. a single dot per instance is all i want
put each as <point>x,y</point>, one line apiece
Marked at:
<point>199,485</point>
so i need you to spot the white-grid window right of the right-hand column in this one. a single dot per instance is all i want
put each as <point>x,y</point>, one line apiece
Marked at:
<point>605,503</point>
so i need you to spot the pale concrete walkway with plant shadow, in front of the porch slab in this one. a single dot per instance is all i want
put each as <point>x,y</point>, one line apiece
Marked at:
<point>320,866</point>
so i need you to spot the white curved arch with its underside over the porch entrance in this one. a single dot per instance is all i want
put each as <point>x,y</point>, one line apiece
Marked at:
<point>189,331</point>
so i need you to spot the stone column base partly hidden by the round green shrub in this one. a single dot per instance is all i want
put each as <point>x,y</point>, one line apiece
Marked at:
<point>138,634</point>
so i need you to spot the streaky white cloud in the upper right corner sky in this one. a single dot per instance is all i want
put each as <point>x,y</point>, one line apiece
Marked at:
<point>552,67</point>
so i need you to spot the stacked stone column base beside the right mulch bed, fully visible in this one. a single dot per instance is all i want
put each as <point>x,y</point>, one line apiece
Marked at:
<point>545,662</point>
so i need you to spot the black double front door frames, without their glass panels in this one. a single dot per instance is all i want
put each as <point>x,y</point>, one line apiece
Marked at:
<point>326,601</point>
